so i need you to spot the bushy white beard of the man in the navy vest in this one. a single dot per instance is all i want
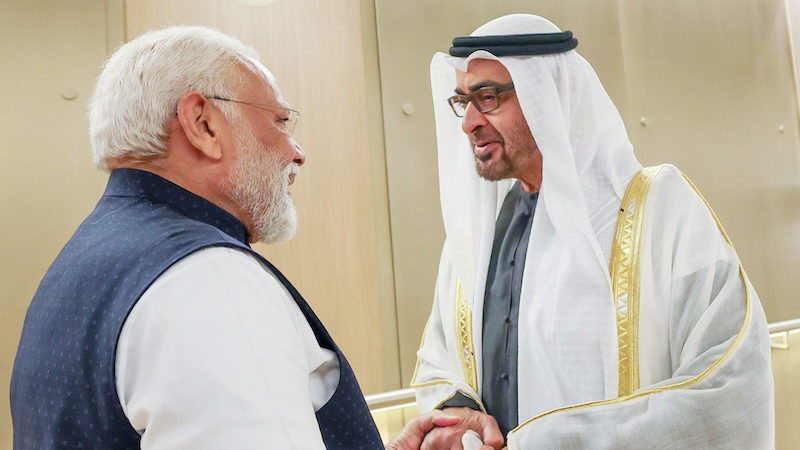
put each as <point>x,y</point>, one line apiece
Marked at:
<point>260,187</point>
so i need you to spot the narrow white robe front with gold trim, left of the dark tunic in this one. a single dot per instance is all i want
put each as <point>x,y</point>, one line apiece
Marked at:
<point>439,374</point>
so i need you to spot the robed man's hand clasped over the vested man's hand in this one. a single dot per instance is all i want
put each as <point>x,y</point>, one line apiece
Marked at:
<point>450,437</point>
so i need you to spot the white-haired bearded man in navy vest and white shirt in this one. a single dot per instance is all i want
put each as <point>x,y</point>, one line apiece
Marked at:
<point>157,326</point>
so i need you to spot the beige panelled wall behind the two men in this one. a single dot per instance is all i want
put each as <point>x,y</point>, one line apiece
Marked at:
<point>709,86</point>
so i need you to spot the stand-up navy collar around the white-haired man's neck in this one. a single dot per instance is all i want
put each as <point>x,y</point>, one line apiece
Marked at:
<point>139,183</point>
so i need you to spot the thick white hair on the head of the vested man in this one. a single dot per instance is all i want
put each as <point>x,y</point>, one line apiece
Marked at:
<point>137,93</point>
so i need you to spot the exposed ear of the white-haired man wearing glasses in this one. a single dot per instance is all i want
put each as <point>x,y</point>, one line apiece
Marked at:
<point>201,122</point>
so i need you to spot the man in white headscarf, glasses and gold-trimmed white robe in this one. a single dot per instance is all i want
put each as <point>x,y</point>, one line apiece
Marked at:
<point>582,301</point>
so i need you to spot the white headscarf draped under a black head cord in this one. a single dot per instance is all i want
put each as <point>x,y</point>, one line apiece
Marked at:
<point>567,319</point>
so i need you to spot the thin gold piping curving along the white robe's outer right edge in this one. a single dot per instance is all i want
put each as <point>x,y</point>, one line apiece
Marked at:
<point>711,368</point>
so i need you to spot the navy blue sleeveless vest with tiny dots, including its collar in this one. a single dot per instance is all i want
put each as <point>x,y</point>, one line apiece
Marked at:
<point>63,387</point>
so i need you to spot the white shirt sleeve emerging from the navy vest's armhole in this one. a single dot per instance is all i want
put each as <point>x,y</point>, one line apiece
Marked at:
<point>211,357</point>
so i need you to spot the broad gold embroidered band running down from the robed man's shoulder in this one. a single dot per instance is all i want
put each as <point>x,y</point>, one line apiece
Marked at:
<point>624,270</point>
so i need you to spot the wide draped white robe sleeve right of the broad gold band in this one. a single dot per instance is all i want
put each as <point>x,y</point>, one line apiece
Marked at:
<point>706,379</point>
